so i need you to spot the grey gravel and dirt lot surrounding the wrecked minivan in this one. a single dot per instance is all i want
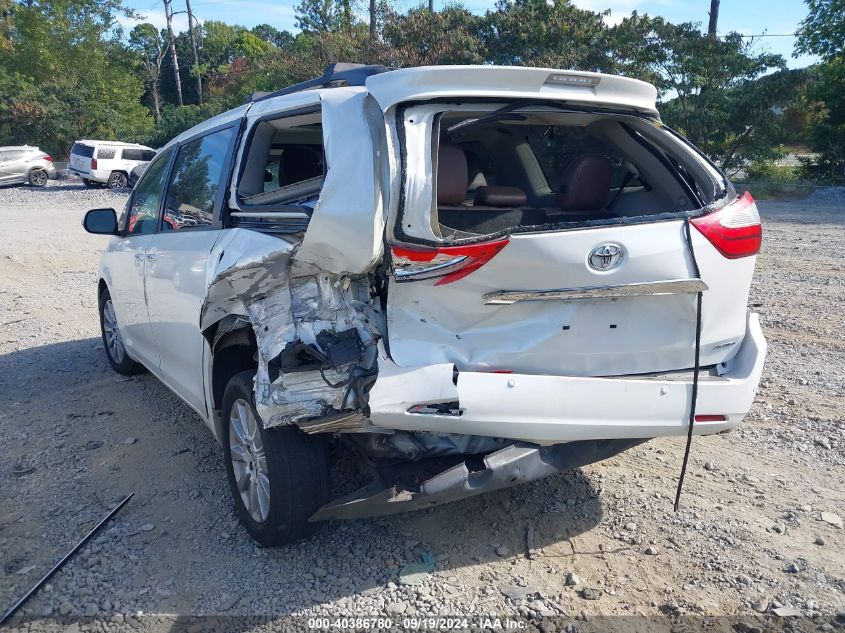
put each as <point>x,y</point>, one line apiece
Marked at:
<point>77,437</point>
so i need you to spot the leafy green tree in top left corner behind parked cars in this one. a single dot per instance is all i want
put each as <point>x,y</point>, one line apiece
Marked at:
<point>67,75</point>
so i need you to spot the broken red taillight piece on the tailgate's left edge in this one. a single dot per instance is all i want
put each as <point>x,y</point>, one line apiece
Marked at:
<point>450,263</point>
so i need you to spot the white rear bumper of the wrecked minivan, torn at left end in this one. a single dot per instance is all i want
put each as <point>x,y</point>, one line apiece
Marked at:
<point>554,409</point>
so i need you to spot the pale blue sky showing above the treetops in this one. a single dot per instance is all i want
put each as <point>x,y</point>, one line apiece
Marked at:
<point>772,18</point>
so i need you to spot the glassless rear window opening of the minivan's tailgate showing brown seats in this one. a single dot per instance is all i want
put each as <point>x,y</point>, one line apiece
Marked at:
<point>507,169</point>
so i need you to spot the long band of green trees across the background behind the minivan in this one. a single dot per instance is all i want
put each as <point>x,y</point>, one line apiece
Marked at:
<point>68,71</point>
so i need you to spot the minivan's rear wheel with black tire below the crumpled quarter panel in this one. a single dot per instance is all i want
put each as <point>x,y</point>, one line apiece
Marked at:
<point>294,474</point>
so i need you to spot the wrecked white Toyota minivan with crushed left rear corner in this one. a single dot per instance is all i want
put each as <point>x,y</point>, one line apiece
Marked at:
<point>471,276</point>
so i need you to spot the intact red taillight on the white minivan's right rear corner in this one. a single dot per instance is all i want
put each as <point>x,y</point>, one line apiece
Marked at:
<point>735,229</point>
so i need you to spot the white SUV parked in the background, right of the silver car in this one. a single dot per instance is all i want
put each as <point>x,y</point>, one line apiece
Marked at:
<point>107,162</point>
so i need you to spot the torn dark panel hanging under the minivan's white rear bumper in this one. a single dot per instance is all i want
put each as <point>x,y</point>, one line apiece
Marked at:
<point>515,464</point>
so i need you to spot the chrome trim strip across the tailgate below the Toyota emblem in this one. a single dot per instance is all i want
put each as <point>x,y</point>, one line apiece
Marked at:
<point>668,287</point>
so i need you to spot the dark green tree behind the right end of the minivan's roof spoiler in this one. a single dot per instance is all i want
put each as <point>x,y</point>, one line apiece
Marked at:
<point>716,96</point>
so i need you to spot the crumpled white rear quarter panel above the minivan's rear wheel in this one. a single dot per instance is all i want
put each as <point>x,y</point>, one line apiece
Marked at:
<point>285,301</point>
